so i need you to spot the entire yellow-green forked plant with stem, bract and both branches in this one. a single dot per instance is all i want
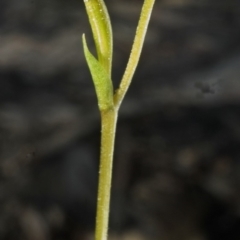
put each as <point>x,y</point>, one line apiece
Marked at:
<point>109,100</point>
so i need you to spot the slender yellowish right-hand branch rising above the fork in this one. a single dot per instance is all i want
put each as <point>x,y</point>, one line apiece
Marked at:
<point>135,52</point>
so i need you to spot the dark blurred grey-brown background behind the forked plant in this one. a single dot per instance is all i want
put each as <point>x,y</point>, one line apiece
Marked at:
<point>177,159</point>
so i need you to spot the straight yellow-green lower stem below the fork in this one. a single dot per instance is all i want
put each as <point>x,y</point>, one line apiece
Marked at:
<point>108,130</point>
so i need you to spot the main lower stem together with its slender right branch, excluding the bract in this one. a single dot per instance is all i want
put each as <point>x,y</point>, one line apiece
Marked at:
<point>108,125</point>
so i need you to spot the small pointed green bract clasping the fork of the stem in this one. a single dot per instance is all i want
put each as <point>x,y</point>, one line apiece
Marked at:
<point>101,80</point>
